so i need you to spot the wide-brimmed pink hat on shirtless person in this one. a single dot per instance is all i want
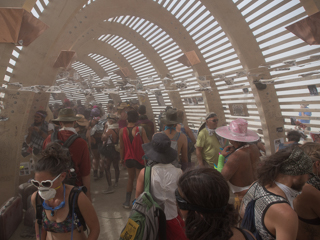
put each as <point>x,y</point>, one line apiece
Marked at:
<point>238,131</point>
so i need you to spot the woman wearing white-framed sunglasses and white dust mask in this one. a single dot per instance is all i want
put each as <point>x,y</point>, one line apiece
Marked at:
<point>59,220</point>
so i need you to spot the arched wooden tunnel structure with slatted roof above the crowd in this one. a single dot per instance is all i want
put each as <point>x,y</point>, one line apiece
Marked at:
<point>200,56</point>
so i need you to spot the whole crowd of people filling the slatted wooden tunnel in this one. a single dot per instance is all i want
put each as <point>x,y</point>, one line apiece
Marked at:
<point>274,198</point>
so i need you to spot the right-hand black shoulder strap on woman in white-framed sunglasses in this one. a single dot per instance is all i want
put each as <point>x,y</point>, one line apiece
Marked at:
<point>73,204</point>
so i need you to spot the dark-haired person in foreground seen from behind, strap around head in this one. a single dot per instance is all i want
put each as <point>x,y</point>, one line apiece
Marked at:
<point>202,197</point>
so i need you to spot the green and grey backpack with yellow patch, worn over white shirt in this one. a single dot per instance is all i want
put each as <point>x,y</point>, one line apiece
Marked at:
<point>147,220</point>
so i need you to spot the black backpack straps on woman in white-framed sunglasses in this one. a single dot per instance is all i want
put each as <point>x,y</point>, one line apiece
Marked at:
<point>74,210</point>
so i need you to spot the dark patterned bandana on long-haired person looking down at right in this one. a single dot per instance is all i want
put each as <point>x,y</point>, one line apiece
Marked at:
<point>297,164</point>
